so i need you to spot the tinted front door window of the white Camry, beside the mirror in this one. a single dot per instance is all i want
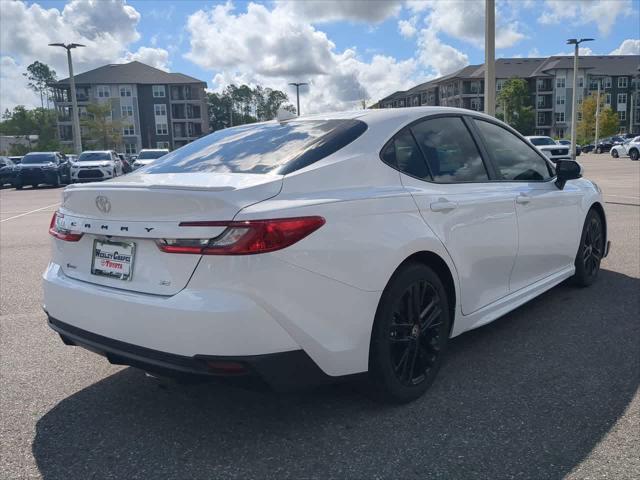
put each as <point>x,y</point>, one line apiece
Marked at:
<point>513,158</point>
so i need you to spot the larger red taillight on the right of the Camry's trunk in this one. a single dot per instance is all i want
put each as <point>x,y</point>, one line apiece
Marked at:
<point>245,238</point>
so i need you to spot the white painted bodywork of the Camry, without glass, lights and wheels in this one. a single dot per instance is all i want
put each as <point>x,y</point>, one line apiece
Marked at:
<point>503,243</point>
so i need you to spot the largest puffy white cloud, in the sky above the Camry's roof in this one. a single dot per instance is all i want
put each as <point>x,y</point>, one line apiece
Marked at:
<point>273,47</point>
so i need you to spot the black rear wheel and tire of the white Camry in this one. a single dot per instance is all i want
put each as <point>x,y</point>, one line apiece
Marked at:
<point>410,334</point>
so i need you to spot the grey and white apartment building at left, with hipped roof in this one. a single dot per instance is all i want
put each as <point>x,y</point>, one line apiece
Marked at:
<point>156,109</point>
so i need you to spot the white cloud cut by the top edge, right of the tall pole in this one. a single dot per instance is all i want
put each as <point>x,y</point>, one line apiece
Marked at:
<point>579,12</point>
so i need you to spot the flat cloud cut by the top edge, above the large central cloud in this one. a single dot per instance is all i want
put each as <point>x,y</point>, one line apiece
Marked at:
<point>317,11</point>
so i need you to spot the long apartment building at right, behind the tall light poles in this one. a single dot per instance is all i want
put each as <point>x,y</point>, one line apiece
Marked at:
<point>550,86</point>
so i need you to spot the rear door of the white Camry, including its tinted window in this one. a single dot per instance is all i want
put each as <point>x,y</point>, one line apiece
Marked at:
<point>441,165</point>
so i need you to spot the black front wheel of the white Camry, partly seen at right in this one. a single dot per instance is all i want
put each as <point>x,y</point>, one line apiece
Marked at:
<point>591,250</point>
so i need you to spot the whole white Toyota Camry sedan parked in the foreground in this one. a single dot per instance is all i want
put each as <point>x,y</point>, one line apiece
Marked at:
<point>320,247</point>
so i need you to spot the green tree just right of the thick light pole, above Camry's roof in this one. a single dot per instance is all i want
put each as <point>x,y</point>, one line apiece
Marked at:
<point>515,101</point>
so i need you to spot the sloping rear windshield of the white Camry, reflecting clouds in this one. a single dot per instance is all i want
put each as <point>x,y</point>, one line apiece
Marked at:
<point>262,148</point>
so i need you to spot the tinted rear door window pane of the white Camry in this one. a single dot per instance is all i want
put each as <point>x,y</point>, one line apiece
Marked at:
<point>451,153</point>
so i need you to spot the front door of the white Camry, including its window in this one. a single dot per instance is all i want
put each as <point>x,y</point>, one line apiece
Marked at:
<point>549,219</point>
